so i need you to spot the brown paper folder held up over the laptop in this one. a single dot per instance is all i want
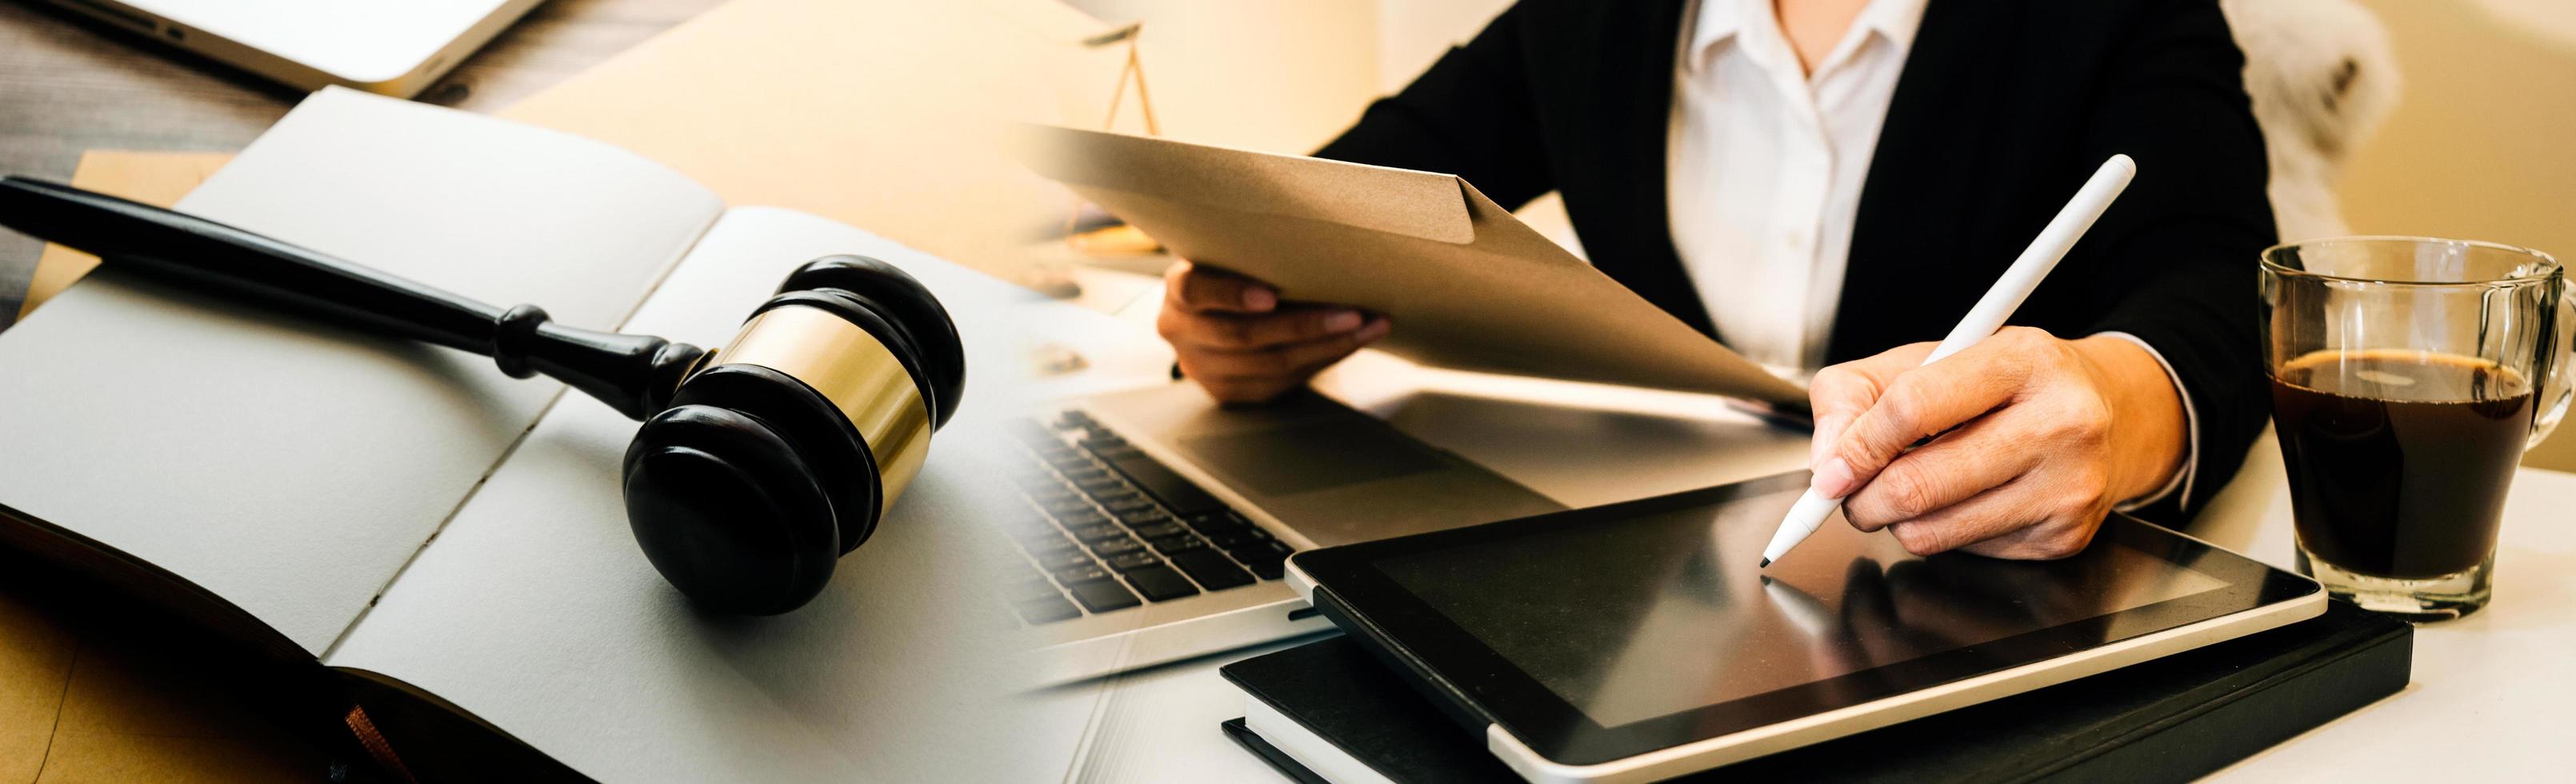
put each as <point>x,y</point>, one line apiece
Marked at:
<point>1467,285</point>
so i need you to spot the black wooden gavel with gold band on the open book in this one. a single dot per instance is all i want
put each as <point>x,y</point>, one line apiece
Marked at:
<point>759,465</point>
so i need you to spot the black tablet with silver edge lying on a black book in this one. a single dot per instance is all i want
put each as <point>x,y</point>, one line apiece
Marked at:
<point>1640,641</point>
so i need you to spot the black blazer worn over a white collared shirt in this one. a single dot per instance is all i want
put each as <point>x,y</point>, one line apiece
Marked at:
<point>2003,110</point>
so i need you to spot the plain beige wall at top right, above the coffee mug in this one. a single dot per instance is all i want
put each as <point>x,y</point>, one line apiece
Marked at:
<point>2485,138</point>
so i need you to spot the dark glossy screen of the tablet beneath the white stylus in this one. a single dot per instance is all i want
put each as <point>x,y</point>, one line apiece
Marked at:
<point>1665,612</point>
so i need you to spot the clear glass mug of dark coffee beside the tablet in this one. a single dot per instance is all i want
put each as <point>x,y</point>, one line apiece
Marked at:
<point>2407,380</point>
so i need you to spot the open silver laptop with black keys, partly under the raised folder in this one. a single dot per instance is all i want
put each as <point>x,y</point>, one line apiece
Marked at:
<point>1158,522</point>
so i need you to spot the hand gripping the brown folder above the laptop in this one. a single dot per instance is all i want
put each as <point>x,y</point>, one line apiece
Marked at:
<point>1243,344</point>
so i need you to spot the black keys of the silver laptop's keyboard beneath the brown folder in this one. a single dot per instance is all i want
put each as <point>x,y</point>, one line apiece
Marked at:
<point>1114,530</point>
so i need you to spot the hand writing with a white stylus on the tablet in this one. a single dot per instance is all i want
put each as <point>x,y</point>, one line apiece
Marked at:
<point>2036,442</point>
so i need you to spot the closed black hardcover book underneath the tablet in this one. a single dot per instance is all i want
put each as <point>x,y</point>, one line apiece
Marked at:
<point>2163,721</point>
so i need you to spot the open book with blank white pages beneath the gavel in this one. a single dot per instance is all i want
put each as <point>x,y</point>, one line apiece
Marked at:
<point>450,545</point>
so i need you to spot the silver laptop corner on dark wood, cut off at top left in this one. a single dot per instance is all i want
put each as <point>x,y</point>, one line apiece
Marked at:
<point>380,48</point>
